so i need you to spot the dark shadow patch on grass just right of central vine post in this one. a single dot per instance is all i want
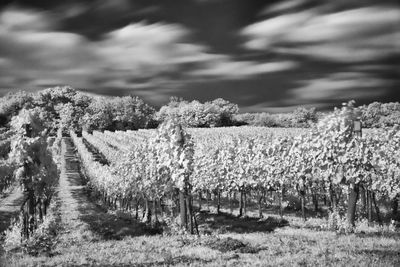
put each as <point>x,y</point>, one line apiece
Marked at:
<point>226,222</point>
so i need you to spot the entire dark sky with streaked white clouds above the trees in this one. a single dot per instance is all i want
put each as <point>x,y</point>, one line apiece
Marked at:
<point>266,56</point>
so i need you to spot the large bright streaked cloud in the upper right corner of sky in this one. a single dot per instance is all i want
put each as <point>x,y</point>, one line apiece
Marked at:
<point>356,35</point>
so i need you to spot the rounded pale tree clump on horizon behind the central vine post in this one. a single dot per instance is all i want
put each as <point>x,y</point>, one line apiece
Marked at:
<point>218,112</point>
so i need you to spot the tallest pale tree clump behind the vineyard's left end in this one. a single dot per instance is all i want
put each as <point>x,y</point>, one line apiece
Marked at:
<point>66,108</point>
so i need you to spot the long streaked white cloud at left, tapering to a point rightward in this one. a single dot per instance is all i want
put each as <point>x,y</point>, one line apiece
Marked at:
<point>134,57</point>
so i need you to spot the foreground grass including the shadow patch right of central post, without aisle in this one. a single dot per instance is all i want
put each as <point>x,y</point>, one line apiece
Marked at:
<point>231,242</point>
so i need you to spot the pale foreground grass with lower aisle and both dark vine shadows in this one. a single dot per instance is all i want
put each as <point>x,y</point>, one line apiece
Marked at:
<point>89,235</point>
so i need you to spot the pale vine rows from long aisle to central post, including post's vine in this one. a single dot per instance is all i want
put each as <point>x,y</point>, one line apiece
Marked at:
<point>151,168</point>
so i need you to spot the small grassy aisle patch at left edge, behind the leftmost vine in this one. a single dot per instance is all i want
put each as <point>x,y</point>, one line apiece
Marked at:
<point>9,207</point>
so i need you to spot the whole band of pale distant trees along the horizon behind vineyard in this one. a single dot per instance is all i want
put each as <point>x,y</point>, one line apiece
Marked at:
<point>66,108</point>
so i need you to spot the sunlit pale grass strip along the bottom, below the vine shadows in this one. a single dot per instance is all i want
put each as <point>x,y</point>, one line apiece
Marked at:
<point>285,246</point>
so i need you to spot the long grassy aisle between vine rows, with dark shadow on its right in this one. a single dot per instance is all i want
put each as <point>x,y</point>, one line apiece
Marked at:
<point>81,216</point>
